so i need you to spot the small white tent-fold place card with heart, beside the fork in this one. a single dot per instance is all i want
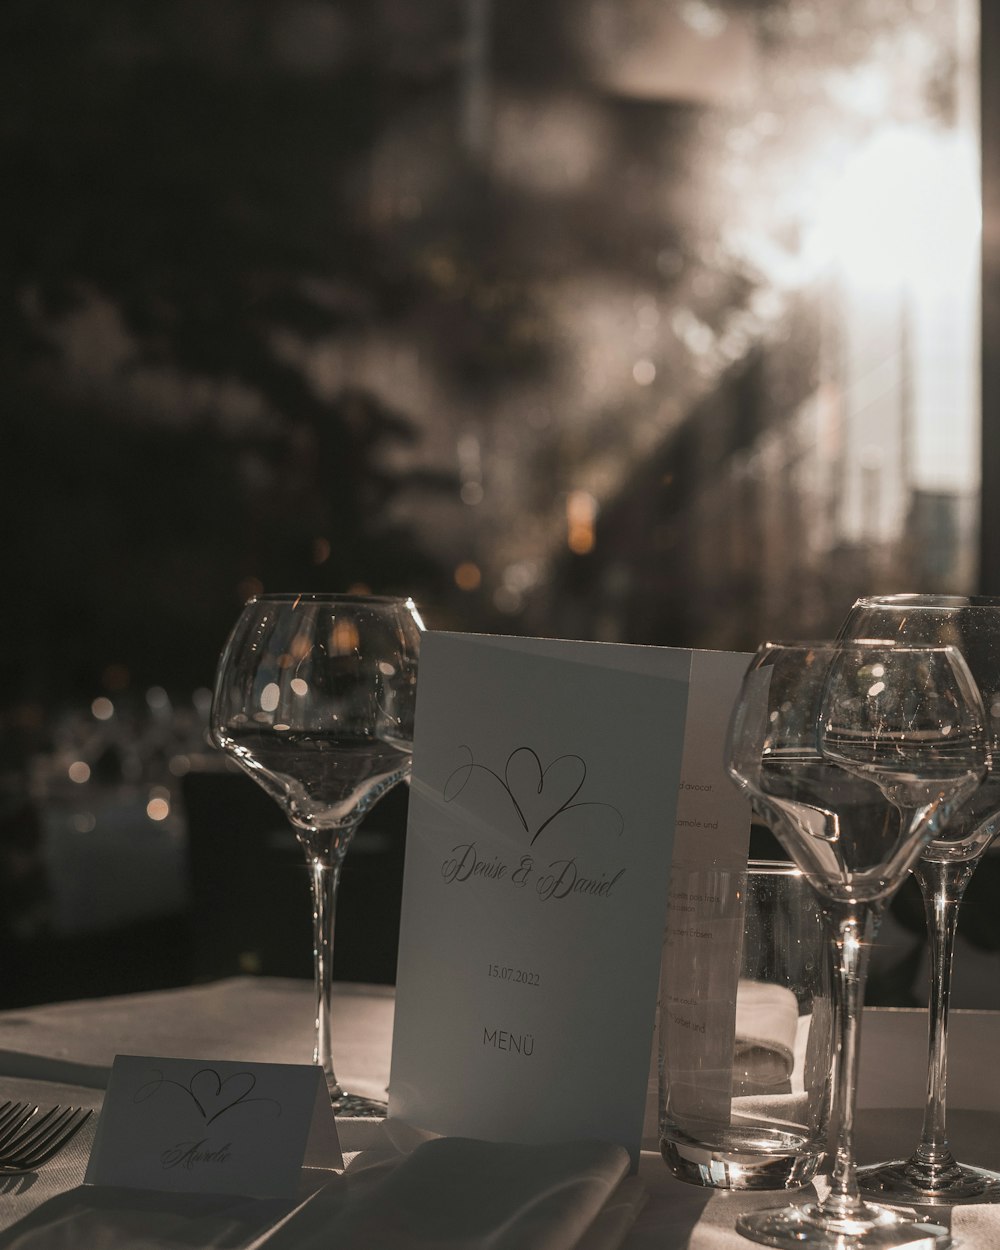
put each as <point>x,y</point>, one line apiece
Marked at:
<point>202,1127</point>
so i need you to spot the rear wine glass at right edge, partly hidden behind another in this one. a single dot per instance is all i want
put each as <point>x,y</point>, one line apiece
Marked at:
<point>932,1174</point>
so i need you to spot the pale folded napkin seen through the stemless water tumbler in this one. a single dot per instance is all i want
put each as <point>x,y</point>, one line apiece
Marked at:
<point>767,1028</point>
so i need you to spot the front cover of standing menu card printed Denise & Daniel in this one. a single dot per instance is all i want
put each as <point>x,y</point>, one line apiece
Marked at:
<point>542,823</point>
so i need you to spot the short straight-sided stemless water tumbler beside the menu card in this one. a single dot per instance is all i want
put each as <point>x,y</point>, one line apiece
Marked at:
<point>746,1028</point>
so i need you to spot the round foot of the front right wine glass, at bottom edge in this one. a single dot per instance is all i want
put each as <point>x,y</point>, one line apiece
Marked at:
<point>811,1227</point>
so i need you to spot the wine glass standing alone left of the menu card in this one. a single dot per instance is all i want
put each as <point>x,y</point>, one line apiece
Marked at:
<point>314,698</point>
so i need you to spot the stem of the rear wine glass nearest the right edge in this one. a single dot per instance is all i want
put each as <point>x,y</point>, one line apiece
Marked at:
<point>943,886</point>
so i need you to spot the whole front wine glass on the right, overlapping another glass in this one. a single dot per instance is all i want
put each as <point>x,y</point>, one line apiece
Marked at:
<point>857,754</point>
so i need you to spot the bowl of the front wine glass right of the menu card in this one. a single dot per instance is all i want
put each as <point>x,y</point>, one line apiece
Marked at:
<point>807,773</point>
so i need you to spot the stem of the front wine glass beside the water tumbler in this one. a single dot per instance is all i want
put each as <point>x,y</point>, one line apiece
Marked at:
<point>852,927</point>
